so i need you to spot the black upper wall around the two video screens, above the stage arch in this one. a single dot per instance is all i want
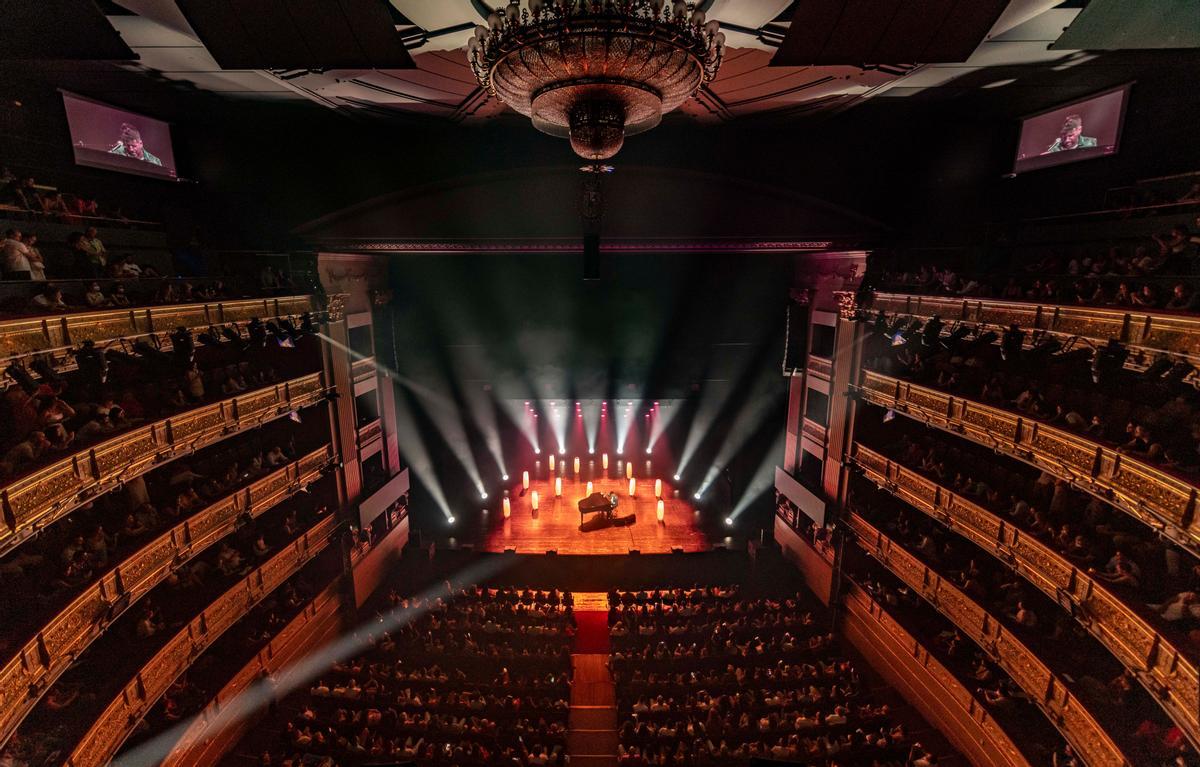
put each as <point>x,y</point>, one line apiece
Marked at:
<point>929,167</point>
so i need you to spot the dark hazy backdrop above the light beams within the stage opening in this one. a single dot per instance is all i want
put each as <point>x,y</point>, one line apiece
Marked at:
<point>658,325</point>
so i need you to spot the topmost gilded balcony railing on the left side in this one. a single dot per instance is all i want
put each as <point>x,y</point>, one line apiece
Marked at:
<point>59,333</point>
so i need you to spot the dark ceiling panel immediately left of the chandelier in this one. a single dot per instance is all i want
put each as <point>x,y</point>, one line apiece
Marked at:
<point>298,34</point>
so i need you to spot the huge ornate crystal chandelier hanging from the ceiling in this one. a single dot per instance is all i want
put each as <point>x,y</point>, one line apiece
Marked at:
<point>596,71</point>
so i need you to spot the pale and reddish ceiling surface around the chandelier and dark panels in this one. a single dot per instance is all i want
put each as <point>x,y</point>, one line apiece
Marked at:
<point>443,87</point>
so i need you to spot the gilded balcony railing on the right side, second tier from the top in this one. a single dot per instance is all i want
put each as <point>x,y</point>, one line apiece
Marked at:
<point>1155,498</point>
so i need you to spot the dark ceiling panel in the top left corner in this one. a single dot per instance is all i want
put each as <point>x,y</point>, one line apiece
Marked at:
<point>59,29</point>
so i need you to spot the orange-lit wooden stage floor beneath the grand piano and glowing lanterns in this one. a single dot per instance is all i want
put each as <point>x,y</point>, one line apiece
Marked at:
<point>557,526</point>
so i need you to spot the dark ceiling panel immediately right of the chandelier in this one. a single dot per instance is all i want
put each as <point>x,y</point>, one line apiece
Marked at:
<point>886,32</point>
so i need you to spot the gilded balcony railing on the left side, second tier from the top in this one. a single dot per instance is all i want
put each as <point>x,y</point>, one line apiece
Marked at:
<point>47,495</point>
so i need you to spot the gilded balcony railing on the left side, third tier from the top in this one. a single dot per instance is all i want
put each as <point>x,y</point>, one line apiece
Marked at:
<point>59,643</point>
